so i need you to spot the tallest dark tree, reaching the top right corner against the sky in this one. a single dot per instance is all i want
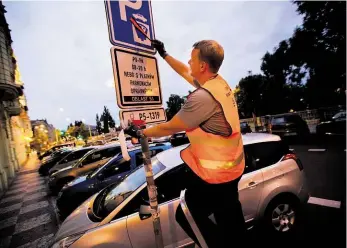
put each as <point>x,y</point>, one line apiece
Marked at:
<point>313,60</point>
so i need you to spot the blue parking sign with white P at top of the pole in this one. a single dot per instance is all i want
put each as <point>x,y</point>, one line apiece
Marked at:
<point>122,32</point>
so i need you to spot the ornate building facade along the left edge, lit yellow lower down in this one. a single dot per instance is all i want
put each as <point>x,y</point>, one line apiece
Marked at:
<point>13,109</point>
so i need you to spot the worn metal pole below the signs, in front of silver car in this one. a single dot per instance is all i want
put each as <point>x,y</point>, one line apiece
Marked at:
<point>152,192</point>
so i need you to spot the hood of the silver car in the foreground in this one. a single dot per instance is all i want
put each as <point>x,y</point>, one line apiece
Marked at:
<point>76,222</point>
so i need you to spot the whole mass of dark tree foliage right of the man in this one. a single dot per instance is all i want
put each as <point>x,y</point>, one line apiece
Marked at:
<point>308,70</point>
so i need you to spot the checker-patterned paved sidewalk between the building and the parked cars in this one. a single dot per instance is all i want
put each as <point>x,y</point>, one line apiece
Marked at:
<point>27,215</point>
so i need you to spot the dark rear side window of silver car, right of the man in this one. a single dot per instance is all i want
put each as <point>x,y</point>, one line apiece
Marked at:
<point>264,154</point>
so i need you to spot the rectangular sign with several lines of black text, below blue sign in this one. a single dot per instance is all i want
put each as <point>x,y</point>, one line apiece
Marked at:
<point>136,79</point>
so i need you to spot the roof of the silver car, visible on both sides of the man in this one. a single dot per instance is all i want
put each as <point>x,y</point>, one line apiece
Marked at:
<point>171,158</point>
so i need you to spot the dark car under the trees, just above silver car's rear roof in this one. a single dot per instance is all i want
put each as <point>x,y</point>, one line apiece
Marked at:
<point>290,124</point>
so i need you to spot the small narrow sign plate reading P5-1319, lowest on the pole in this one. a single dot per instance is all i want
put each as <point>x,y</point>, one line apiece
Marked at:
<point>155,115</point>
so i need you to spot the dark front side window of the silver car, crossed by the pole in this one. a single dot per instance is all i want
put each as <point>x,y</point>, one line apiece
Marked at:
<point>169,186</point>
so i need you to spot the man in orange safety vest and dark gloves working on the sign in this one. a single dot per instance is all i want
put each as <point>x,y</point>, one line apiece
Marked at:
<point>215,156</point>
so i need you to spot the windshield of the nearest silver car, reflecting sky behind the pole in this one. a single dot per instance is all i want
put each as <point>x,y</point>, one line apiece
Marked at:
<point>112,197</point>
